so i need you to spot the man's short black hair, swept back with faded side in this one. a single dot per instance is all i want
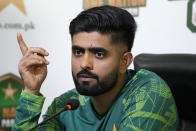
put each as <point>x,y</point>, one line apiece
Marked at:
<point>106,19</point>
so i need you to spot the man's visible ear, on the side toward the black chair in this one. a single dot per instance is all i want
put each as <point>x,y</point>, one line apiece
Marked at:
<point>126,60</point>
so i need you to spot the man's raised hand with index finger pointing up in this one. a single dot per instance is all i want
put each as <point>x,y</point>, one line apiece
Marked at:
<point>32,67</point>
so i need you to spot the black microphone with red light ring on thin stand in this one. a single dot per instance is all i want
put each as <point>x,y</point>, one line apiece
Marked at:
<point>72,104</point>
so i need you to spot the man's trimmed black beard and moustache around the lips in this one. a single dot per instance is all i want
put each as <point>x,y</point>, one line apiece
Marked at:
<point>101,87</point>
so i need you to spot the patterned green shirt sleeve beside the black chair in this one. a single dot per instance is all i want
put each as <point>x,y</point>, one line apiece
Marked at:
<point>150,106</point>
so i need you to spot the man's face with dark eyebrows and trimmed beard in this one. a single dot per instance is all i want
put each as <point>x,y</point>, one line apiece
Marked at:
<point>95,63</point>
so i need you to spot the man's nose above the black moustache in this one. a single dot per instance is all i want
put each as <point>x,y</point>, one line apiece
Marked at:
<point>87,62</point>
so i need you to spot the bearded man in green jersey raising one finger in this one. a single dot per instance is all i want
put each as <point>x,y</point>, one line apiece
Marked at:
<point>111,96</point>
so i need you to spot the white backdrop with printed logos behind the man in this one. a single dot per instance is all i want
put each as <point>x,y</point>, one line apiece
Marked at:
<point>164,26</point>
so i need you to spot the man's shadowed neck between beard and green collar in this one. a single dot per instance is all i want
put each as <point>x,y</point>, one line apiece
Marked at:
<point>103,102</point>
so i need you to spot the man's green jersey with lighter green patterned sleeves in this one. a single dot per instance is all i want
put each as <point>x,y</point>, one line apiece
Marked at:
<point>144,104</point>
